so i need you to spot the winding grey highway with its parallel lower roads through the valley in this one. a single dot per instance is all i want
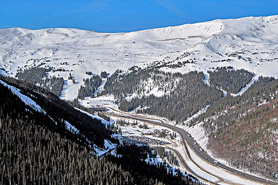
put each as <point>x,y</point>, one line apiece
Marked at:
<point>188,141</point>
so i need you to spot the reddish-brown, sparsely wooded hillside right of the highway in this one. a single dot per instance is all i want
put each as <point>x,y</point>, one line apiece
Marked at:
<point>243,129</point>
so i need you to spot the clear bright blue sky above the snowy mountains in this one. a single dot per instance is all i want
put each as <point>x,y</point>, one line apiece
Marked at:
<point>125,15</point>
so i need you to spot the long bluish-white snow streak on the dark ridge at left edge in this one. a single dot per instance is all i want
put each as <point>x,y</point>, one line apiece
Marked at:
<point>25,99</point>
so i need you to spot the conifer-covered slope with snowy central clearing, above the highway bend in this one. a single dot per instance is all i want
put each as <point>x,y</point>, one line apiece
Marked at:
<point>182,95</point>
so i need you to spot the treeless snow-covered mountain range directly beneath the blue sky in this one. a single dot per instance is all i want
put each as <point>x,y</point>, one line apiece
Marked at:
<point>250,43</point>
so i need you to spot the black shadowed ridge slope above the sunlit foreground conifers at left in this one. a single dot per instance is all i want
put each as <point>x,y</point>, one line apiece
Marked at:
<point>58,111</point>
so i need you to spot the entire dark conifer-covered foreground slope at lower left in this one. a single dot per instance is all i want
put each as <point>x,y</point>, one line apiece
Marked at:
<point>36,148</point>
